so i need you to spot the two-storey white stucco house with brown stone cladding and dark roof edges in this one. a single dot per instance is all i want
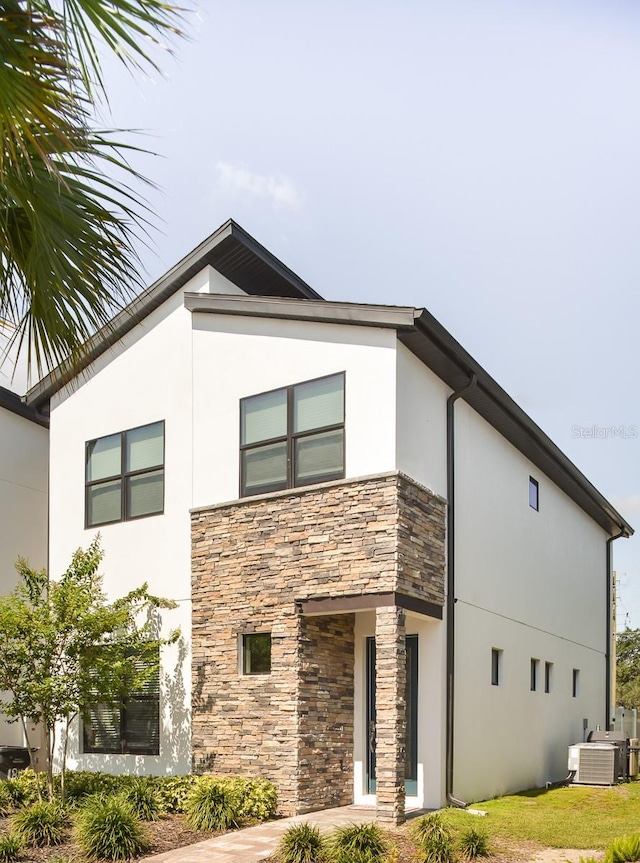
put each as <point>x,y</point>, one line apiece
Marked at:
<point>281,467</point>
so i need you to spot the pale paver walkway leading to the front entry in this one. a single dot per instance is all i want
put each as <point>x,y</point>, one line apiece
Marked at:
<point>256,843</point>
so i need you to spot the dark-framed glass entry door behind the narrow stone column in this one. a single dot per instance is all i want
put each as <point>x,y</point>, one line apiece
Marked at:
<point>411,696</point>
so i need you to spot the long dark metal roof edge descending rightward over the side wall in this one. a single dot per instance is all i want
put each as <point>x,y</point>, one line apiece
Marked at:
<point>487,385</point>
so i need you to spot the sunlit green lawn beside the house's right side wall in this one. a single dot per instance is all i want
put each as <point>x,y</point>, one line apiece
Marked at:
<point>573,817</point>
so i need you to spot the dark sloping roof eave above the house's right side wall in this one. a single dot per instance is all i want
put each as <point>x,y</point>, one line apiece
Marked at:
<point>437,348</point>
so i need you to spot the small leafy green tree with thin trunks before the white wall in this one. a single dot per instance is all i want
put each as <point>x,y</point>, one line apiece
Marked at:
<point>65,647</point>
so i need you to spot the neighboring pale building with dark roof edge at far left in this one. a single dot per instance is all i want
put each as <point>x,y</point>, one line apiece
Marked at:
<point>24,454</point>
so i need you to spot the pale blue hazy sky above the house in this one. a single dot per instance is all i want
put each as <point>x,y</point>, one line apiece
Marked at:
<point>480,158</point>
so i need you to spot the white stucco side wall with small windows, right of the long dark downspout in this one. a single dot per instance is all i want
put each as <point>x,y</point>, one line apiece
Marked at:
<point>531,584</point>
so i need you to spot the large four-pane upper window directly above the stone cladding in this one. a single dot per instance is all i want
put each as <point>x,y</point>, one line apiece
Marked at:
<point>292,436</point>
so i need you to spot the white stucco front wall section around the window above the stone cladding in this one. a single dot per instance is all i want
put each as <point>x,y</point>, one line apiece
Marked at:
<point>234,357</point>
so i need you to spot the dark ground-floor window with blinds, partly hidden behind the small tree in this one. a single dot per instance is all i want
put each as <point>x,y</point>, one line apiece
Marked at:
<point>129,728</point>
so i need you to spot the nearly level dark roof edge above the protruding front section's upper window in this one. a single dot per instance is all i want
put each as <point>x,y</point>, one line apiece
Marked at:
<point>395,317</point>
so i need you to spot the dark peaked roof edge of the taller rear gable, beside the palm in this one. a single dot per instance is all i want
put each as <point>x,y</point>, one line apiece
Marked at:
<point>149,300</point>
